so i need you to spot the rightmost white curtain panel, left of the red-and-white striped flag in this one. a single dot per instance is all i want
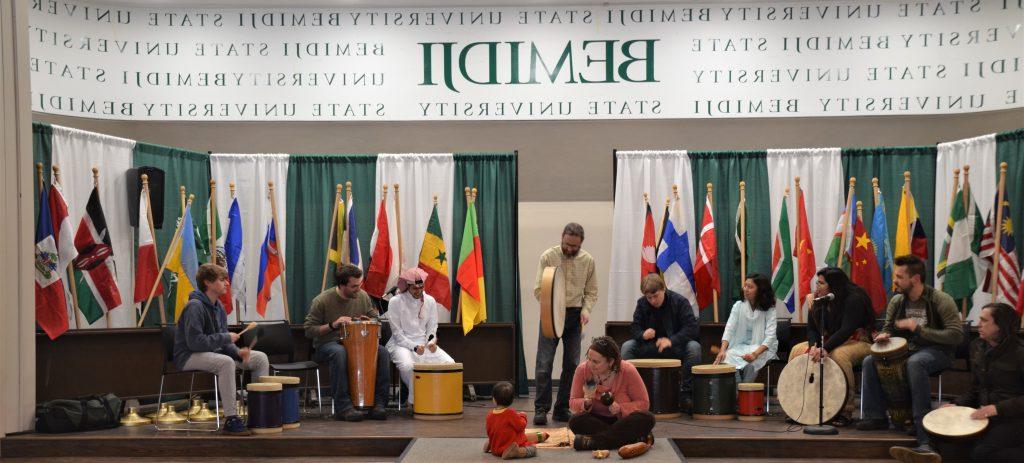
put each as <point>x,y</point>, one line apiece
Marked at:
<point>979,153</point>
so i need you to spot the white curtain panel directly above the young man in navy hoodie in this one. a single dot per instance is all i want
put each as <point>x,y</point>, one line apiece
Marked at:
<point>250,174</point>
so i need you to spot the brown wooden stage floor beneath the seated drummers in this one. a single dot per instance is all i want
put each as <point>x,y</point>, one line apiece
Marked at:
<point>387,441</point>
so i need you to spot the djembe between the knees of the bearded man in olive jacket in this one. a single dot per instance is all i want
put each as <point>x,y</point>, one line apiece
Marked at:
<point>890,363</point>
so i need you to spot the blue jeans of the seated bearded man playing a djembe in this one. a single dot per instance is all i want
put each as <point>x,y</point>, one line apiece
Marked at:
<point>920,366</point>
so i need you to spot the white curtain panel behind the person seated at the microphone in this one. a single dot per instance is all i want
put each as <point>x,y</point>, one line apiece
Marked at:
<point>821,173</point>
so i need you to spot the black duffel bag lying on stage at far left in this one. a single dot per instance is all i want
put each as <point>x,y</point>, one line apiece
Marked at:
<point>83,414</point>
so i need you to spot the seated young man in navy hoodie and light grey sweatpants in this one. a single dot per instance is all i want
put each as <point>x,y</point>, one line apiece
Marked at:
<point>203,343</point>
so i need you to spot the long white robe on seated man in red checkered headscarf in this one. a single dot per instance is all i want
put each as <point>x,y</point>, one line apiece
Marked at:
<point>409,330</point>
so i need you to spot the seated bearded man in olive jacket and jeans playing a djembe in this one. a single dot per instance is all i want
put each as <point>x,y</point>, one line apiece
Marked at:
<point>929,321</point>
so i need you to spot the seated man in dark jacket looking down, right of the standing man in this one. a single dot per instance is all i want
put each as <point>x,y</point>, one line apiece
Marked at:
<point>664,327</point>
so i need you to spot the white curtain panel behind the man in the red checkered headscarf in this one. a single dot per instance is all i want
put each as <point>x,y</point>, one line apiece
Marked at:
<point>420,178</point>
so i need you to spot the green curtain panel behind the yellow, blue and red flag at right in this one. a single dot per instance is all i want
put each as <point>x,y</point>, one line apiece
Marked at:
<point>887,164</point>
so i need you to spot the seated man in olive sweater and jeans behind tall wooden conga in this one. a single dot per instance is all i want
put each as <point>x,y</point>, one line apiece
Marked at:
<point>330,310</point>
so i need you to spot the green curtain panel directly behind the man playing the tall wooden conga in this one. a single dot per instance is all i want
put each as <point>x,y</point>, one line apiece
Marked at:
<point>312,182</point>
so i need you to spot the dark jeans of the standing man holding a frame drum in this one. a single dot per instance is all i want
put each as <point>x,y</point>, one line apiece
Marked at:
<point>546,359</point>
